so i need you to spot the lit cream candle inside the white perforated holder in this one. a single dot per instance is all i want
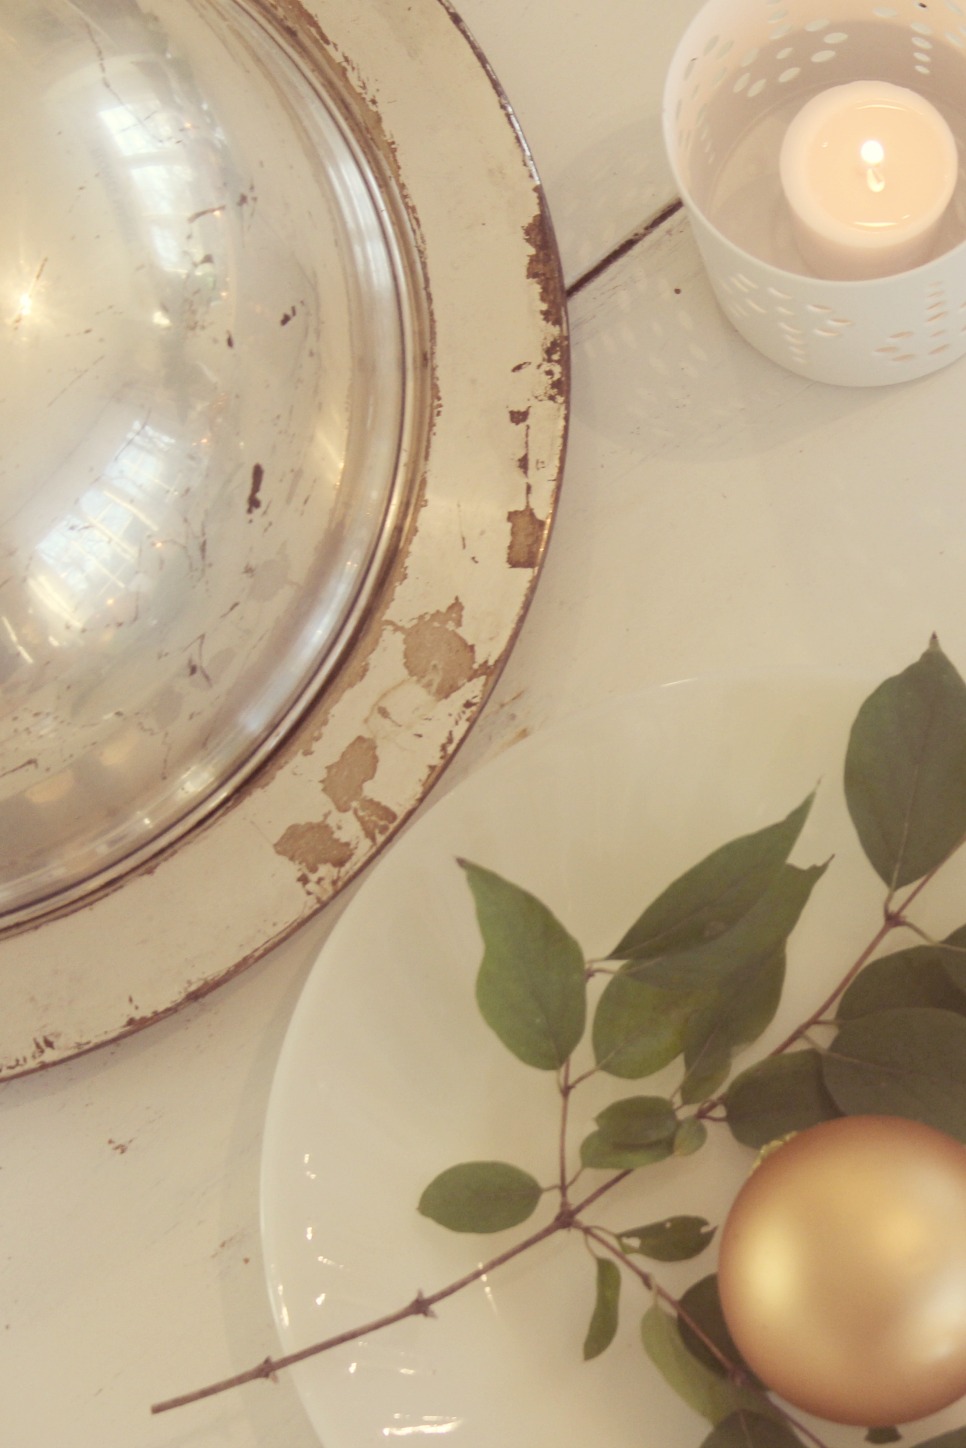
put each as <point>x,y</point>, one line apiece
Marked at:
<point>868,172</point>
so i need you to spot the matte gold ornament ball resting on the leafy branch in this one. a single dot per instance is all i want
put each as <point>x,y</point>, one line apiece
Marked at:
<point>844,1271</point>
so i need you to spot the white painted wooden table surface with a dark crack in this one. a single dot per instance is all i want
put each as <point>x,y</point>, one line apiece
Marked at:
<point>719,516</point>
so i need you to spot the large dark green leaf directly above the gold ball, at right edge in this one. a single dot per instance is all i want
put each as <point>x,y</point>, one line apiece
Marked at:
<point>902,1064</point>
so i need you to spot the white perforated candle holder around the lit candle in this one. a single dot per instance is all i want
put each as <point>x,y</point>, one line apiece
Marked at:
<point>741,75</point>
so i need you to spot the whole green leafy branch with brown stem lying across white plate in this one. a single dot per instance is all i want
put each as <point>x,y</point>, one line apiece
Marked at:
<point>699,978</point>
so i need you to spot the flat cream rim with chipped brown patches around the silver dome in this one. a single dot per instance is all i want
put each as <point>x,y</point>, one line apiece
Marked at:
<point>487,455</point>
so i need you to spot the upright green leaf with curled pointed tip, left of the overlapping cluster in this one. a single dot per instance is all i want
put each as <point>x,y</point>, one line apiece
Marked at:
<point>531,988</point>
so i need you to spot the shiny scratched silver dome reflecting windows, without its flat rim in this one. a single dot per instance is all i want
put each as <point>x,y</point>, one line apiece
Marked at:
<point>206,335</point>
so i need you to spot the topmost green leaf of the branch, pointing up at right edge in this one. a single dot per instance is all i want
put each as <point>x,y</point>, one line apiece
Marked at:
<point>906,770</point>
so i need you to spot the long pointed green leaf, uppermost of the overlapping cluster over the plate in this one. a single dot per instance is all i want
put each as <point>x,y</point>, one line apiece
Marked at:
<point>716,894</point>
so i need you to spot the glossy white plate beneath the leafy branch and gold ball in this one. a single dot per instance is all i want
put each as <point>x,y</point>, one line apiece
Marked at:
<point>389,1075</point>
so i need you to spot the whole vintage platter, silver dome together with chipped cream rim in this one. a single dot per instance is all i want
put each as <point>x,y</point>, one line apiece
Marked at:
<point>285,405</point>
